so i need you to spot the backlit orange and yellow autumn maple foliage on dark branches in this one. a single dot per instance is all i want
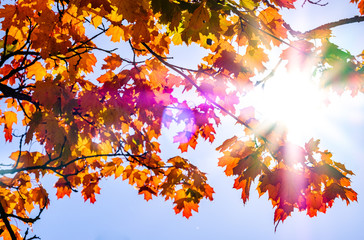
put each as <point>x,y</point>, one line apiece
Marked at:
<point>90,118</point>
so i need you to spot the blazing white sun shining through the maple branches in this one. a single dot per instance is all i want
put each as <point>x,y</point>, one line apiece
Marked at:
<point>294,99</point>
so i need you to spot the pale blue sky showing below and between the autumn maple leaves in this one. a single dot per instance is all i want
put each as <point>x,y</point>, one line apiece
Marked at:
<point>120,213</point>
